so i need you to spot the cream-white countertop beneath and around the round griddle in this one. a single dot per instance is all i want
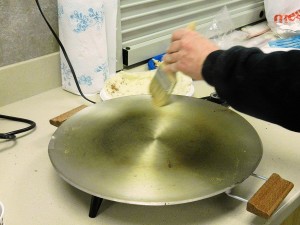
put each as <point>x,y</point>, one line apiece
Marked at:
<point>34,194</point>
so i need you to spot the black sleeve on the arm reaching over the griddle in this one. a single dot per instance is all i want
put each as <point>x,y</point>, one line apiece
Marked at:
<point>266,86</point>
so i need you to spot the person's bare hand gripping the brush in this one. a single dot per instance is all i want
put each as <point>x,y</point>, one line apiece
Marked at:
<point>187,53</point>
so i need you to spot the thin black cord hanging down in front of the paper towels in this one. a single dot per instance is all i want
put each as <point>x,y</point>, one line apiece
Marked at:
<point>64,52</point>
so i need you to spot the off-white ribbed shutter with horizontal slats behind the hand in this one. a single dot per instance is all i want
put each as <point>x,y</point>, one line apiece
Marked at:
<point>146,25</point>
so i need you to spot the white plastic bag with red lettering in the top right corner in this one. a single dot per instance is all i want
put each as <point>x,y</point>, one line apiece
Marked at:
<point>283,17</point>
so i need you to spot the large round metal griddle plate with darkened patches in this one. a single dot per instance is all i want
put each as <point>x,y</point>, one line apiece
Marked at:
<point>128,150</point>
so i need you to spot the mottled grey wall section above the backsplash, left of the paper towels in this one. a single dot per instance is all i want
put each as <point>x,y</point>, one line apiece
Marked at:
<point>23,33</point>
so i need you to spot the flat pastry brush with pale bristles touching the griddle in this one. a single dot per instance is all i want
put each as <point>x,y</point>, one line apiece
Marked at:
<point>163,83</point>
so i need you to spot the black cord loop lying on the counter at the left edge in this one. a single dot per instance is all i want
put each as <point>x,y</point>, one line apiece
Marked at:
<point>12,135</point>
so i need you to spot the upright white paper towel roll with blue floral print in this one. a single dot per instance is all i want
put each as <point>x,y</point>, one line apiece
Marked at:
<point>82,31</point>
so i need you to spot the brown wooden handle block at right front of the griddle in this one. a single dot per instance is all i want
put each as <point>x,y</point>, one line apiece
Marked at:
<point>267,199</point>
